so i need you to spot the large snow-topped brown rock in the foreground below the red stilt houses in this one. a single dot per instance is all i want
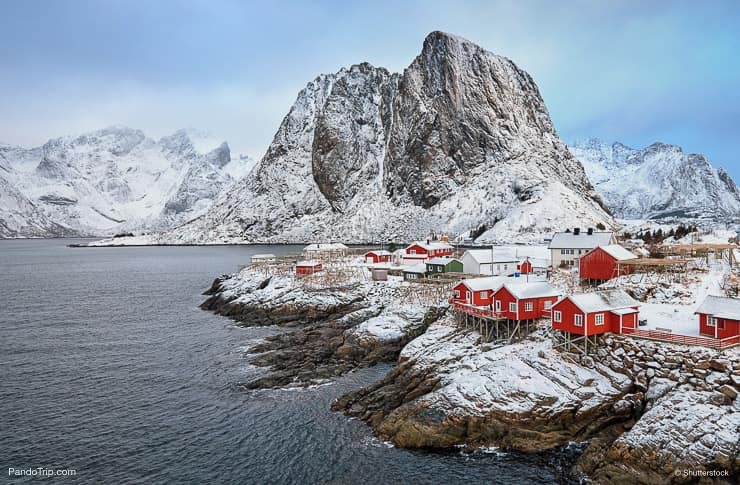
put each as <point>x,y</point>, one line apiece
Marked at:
<point>449,390</point>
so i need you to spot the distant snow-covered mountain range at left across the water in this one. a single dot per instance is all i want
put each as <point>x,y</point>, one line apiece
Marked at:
<point>112,180</point>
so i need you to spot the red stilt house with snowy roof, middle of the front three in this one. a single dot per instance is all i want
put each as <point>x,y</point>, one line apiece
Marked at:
<point>524,301</point>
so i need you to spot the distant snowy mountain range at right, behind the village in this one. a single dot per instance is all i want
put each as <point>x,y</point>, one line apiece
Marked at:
<point>659,181</point>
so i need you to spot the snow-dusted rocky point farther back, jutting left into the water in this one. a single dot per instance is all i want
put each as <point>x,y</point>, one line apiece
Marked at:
<point>331,330</point>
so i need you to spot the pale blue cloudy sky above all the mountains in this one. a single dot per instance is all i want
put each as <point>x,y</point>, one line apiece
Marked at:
<point>636,72</point>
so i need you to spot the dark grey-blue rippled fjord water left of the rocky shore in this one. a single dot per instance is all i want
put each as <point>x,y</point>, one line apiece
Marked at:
<point>109,368</point>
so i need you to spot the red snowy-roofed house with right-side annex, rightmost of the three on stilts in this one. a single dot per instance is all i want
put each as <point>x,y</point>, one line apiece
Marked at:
<point>595,313</point>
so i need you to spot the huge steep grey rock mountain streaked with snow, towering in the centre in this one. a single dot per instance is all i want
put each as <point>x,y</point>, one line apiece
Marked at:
<point>459,140</point>
